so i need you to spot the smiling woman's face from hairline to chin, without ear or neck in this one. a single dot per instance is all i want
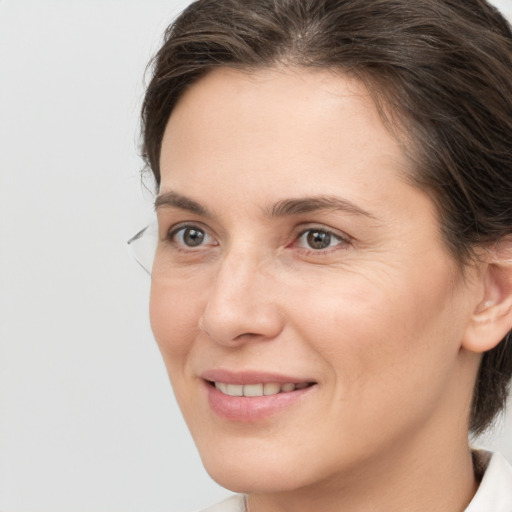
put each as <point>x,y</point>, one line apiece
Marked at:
<point>298,265</point>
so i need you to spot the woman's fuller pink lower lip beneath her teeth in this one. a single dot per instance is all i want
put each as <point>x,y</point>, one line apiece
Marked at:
<point>254,408</point>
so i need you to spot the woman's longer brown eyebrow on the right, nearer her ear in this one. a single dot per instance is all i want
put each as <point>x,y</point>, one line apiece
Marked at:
<point>317,203</point>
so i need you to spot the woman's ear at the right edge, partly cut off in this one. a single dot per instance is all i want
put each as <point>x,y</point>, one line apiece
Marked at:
<point>492,316</point>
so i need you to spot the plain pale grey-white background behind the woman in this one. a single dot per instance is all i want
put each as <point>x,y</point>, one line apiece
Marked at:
<point>87,419</point>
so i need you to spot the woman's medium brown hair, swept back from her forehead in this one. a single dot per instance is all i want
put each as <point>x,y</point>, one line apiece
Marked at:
<point>440,69</point>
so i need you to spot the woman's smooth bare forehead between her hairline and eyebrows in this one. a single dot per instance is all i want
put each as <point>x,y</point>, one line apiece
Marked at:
<point>275,121</point>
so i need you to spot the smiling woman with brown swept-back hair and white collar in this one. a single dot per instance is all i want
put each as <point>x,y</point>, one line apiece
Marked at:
<point>332,287</point>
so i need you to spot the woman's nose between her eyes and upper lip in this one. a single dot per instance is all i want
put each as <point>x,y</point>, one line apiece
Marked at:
<point>240,304</point>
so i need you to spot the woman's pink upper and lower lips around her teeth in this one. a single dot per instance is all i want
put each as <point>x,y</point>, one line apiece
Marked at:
<point>250,409</point>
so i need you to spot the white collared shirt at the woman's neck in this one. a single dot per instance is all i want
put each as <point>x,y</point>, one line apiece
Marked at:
<point>494,493</point>
